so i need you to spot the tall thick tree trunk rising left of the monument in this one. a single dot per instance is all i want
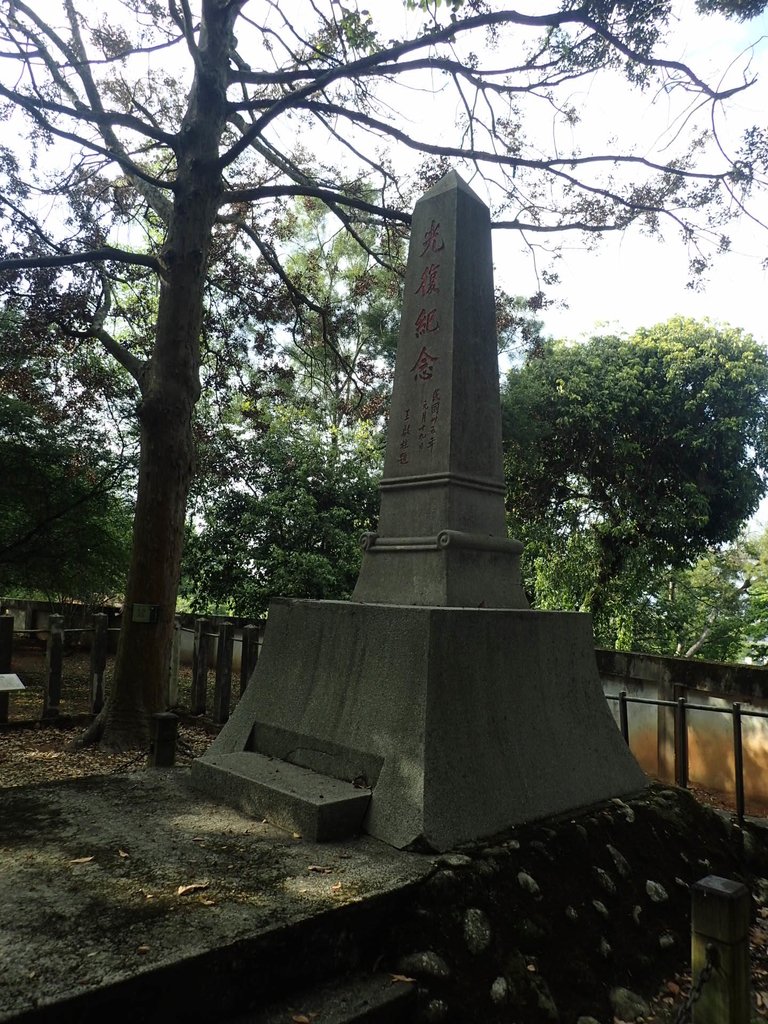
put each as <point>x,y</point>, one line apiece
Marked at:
<point>170,390</point>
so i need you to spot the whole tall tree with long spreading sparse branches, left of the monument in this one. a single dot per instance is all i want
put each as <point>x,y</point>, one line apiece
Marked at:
<point>164,140</point>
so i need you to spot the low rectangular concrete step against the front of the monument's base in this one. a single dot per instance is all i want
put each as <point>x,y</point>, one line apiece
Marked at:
<point>318,807</point>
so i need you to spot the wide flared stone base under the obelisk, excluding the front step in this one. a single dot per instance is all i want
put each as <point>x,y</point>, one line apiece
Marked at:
<point>463,722</point>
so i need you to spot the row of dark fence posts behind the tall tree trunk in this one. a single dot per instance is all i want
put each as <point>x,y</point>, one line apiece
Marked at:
<point>214,650</point>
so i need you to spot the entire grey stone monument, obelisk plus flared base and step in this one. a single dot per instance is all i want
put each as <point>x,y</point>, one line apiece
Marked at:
<point>435,708</point>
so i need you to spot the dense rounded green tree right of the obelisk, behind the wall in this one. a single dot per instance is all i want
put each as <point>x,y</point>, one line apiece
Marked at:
<point>629,457</point>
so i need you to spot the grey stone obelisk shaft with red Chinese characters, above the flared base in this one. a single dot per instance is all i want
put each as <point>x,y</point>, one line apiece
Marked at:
<point>443,539</point>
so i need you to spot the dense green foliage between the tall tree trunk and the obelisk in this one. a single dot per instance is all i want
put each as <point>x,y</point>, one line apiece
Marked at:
<point>285,517</point>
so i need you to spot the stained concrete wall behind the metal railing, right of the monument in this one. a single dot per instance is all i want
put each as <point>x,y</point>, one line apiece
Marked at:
<point>710,736</point>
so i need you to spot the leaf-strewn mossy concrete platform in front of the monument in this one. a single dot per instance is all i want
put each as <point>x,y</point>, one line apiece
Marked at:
<point>132,898</point>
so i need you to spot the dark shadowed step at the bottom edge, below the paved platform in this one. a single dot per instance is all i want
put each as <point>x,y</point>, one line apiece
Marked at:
<point>359,1000</point>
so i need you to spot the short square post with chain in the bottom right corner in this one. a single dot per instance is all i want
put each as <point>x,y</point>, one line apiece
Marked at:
<point>720,926</point>
